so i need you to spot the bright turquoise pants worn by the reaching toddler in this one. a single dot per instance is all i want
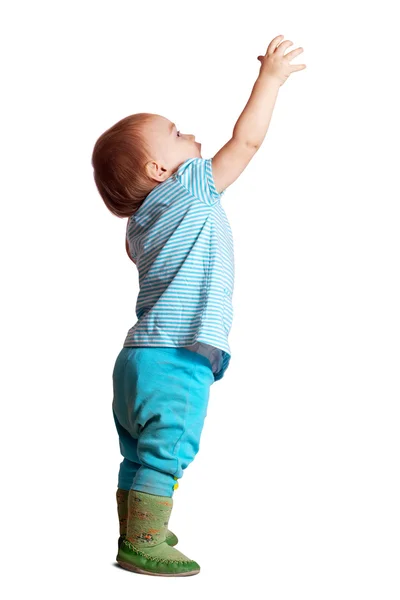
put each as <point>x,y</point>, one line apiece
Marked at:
<point>159,406</point>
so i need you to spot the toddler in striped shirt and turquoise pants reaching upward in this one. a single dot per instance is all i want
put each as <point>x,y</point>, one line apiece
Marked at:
<point>181,242</point>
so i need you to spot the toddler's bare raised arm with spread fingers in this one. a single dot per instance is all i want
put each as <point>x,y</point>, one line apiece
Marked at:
<point>252,125</point>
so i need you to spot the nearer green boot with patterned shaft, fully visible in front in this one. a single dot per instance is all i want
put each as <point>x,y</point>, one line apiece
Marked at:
<point>144,549</point>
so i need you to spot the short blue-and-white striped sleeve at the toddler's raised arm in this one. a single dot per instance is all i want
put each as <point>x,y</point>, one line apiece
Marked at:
<point>196,176</point>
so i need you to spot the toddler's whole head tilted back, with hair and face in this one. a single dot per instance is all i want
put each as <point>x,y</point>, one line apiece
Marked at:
<point>134,156</point>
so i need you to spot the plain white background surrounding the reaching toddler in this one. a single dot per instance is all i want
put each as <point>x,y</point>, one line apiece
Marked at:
<point>295,491</point>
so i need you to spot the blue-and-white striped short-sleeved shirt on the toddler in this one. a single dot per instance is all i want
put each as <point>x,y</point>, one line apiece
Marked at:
<point>181,242</point>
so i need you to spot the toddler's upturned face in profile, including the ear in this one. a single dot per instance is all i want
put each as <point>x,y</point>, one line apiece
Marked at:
<point>169,147</point>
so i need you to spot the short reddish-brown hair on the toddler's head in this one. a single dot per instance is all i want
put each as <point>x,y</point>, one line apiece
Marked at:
<point>118,159</point>
